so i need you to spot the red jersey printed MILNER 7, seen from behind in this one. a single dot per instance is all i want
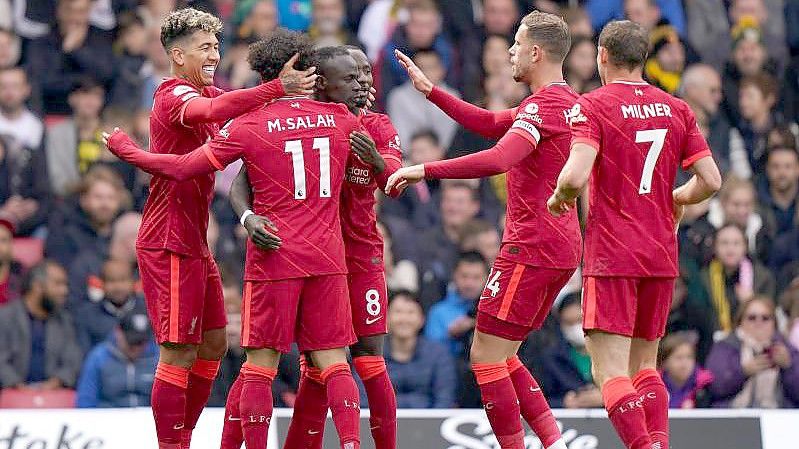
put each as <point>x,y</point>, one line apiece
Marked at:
<point>642,135</point>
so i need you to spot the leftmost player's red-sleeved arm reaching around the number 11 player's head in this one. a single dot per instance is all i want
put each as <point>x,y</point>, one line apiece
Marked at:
<point>236,102</point>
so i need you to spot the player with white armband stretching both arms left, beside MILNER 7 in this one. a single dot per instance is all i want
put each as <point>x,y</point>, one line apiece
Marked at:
<point>539,253</point>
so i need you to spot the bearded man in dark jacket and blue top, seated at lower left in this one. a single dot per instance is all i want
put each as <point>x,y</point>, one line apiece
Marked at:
<point>38,348</point>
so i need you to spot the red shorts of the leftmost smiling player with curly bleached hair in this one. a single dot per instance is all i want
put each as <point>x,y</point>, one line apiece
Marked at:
<point>183,295</point>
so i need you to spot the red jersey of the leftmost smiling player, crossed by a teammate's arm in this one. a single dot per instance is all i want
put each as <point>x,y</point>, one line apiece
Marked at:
<point>176,213</point>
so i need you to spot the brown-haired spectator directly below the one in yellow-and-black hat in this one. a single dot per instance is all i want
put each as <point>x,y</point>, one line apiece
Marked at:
<point>757,100</point>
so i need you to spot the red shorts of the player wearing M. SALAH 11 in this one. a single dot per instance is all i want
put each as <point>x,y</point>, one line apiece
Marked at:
<point>313,311</point>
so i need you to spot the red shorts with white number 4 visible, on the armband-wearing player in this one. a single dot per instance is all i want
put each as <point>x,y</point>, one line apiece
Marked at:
<point>517,298</point>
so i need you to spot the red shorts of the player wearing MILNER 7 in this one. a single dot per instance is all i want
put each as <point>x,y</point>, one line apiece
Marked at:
<point>634,307</point>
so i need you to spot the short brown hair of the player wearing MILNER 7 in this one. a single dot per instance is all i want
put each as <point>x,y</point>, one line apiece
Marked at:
<point>626,42</point>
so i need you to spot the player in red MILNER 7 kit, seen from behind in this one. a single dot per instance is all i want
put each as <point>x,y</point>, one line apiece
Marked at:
<point>634,136</point>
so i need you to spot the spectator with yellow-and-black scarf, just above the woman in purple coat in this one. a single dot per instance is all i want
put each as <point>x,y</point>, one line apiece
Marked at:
<point>732,278</point>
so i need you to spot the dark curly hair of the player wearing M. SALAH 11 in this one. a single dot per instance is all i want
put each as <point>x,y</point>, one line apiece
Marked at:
<point>268,56</point>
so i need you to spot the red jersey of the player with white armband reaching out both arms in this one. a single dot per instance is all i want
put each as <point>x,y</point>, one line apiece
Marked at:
<point>533,236</point>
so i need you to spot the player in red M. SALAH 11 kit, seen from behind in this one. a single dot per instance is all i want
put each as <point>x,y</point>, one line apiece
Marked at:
<point>295,151</point>
